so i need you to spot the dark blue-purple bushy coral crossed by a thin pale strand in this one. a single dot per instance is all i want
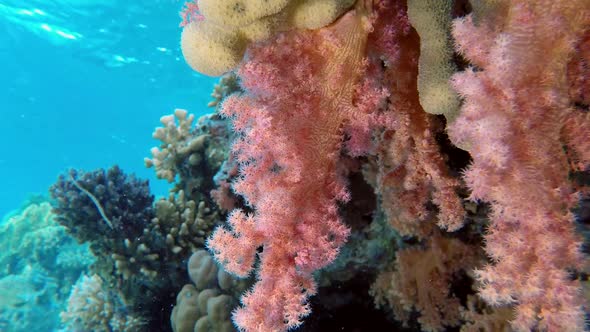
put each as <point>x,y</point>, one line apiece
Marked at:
<point>131,258</point>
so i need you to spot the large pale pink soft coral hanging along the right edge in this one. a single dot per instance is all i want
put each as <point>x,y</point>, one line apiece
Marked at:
<point>513,120</point>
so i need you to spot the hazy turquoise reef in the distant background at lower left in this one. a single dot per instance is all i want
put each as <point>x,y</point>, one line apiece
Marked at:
<point>38,264</point>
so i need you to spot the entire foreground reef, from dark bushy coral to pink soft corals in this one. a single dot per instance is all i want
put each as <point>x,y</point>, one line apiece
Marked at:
<point>422,161</point>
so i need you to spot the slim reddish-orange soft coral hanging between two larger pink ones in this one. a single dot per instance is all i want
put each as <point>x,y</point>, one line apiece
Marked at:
<point>412,172</point>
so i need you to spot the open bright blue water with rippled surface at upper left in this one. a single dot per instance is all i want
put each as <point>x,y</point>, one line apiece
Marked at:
<point>83,84</point>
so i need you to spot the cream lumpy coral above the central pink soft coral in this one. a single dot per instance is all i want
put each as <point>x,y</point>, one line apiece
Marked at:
<point>217,44</point>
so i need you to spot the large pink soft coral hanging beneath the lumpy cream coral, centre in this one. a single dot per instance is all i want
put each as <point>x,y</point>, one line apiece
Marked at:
<point>290,124</point>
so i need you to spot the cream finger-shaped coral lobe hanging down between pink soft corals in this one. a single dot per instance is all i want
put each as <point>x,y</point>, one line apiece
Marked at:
<point>432,20</point>
